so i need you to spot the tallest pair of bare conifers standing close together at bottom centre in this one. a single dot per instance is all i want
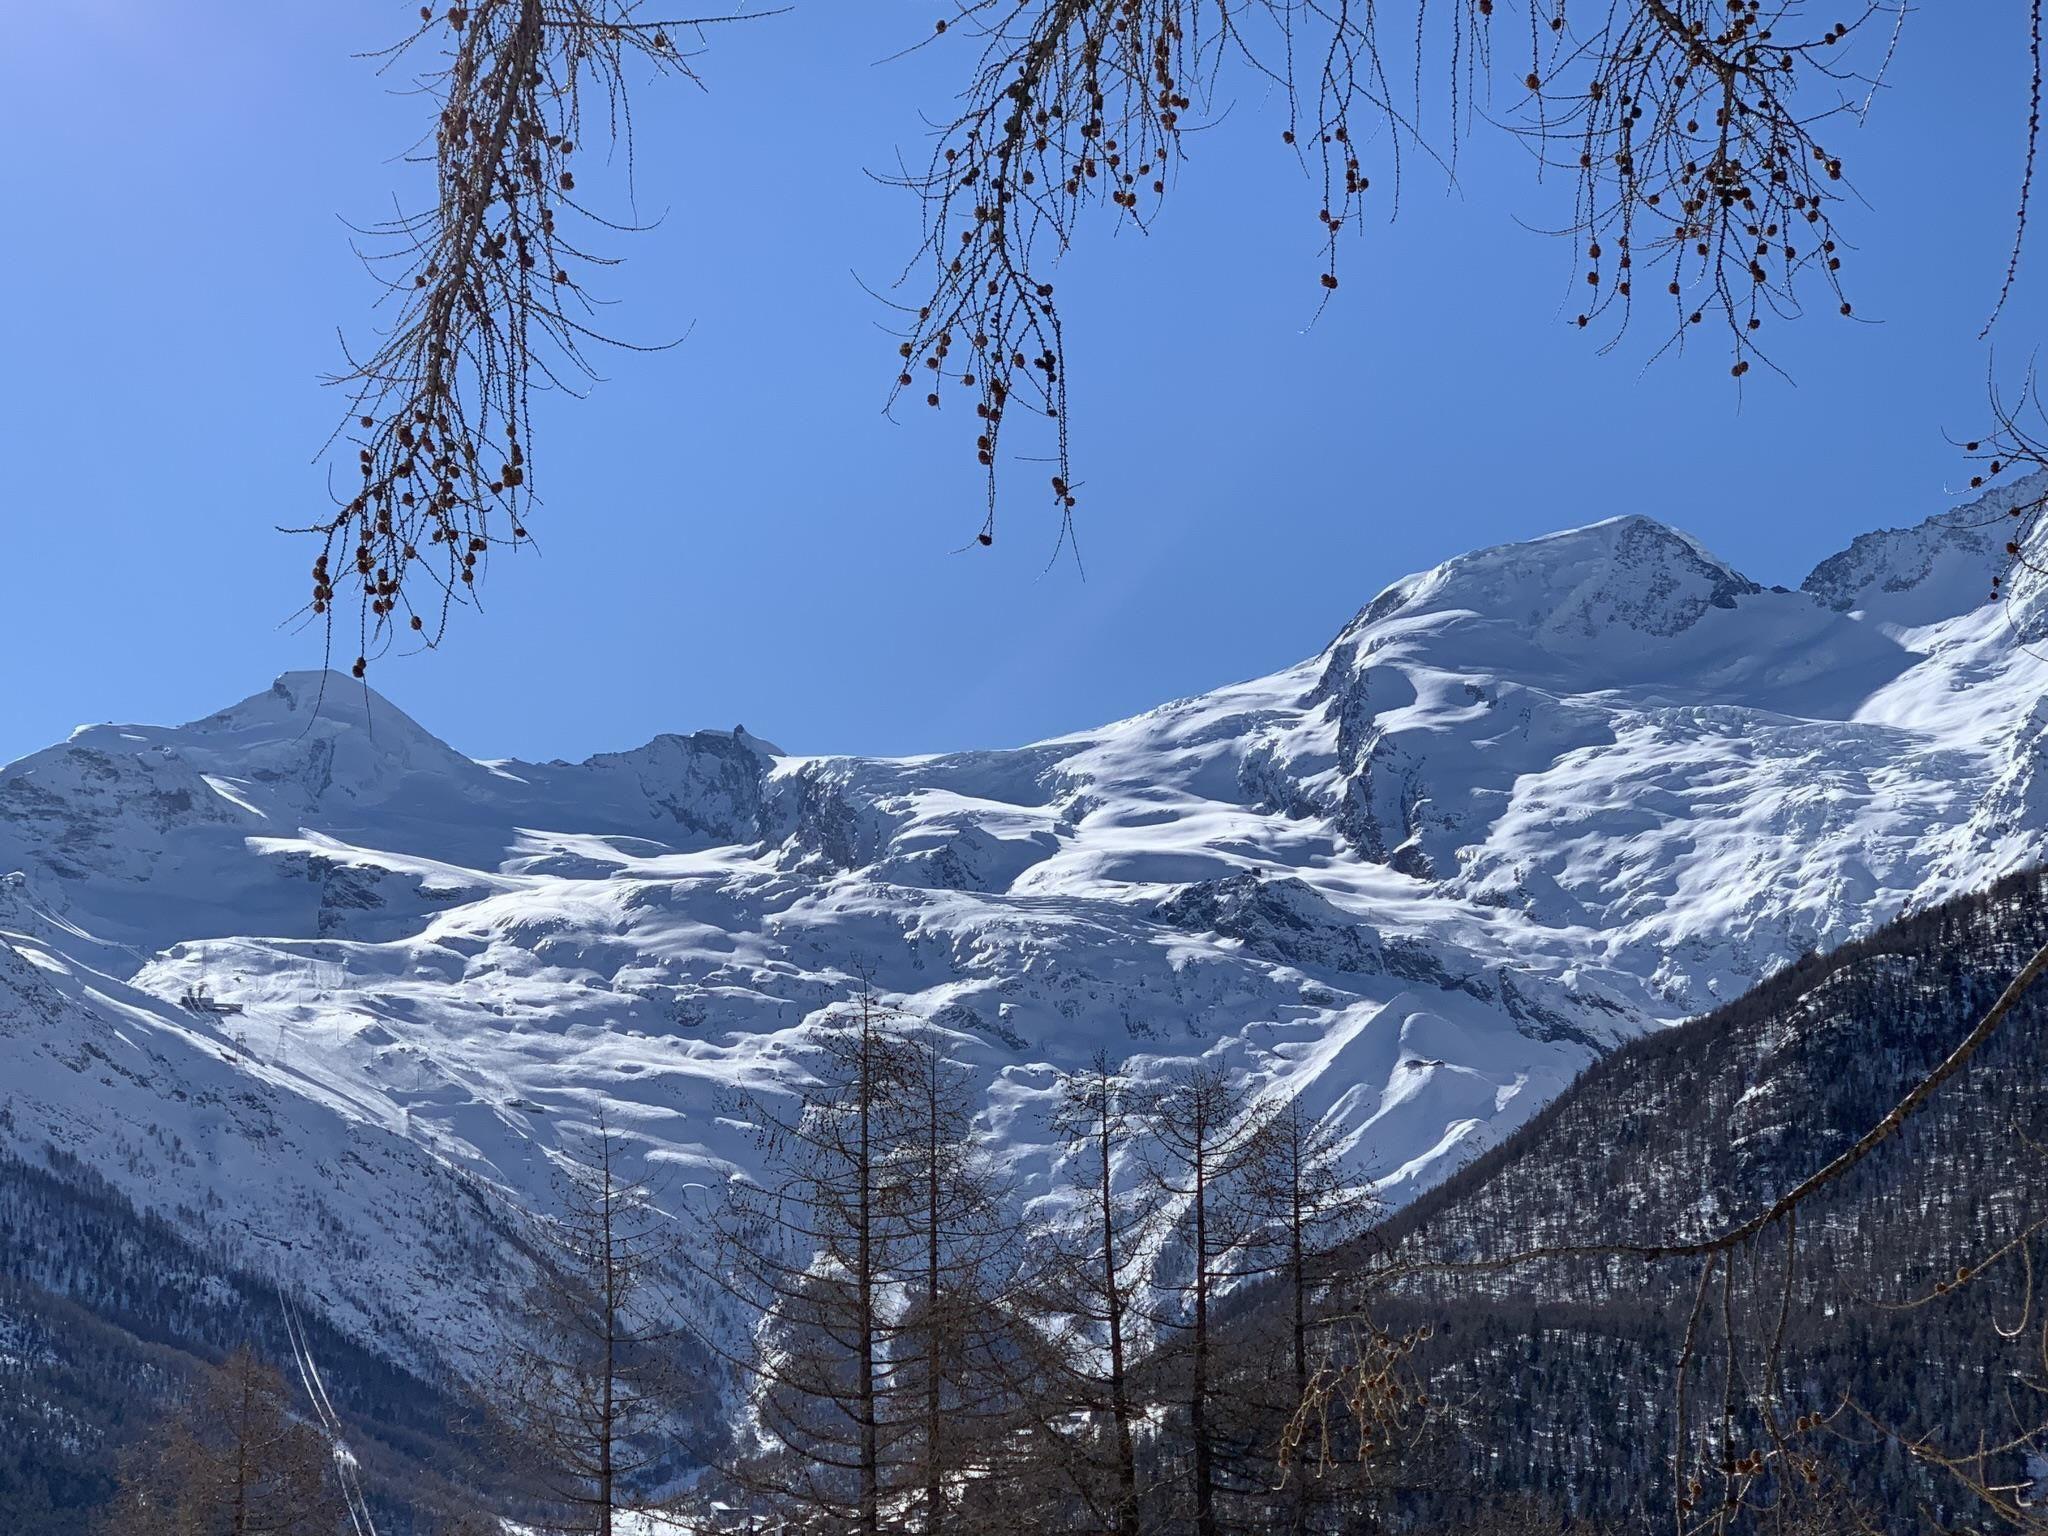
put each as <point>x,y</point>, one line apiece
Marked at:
<point>867,1256</point>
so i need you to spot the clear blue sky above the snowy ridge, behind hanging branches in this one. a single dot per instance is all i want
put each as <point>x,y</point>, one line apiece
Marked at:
<point>736,536</point>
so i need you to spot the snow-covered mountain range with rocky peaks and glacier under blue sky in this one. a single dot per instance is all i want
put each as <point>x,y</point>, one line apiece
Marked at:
<point>318,986</point>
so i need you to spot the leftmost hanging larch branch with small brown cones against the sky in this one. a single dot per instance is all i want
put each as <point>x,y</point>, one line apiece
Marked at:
<point>486,302</point>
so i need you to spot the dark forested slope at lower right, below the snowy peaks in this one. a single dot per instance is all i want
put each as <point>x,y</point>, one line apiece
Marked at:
<point>1560,1377</point>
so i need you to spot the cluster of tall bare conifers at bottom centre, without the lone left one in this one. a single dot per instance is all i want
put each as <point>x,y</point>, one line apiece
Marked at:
<point>923,1349</point>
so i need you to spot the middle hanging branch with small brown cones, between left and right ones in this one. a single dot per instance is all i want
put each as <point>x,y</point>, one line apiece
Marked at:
<point>1082,103</point>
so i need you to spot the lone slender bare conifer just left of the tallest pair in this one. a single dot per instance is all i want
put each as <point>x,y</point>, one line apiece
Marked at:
<point>595,1369</point>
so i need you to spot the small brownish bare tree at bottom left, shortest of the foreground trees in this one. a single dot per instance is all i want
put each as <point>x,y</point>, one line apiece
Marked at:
<point>230,1461</point>
